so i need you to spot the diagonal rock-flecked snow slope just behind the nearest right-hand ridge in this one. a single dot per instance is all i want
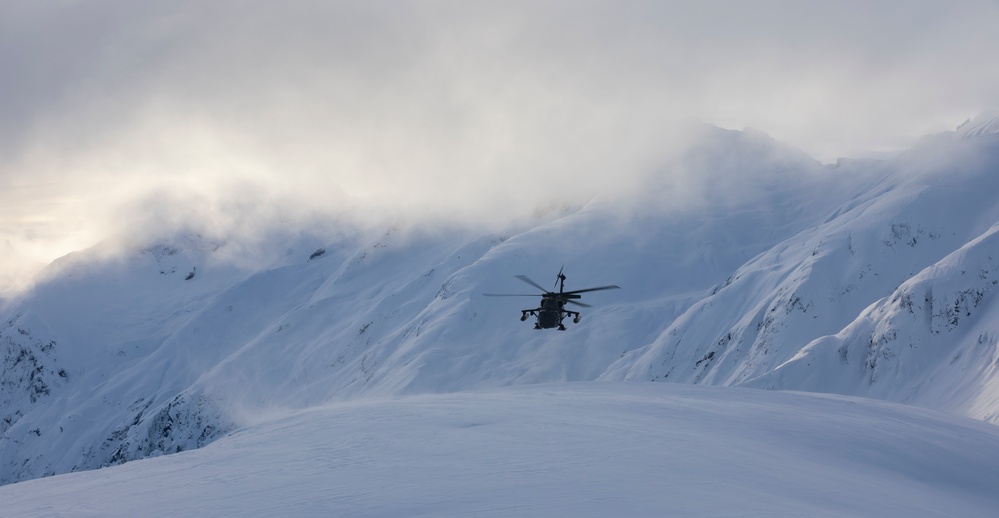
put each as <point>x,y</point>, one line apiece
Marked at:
<point>926,205</point>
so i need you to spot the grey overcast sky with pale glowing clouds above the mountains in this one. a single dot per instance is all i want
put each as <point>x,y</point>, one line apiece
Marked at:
<point>122,111</point>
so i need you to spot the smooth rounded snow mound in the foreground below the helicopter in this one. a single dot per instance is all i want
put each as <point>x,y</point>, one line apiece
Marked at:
<point>577,449</point>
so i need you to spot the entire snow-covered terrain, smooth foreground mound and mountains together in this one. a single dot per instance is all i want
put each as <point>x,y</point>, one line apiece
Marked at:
<point>869,279</point>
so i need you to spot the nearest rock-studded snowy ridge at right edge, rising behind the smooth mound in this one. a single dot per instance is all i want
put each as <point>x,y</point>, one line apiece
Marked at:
<point>939,322</point>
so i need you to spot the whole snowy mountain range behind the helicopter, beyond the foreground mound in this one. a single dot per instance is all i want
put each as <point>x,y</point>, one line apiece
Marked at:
<point>867,278</point>
